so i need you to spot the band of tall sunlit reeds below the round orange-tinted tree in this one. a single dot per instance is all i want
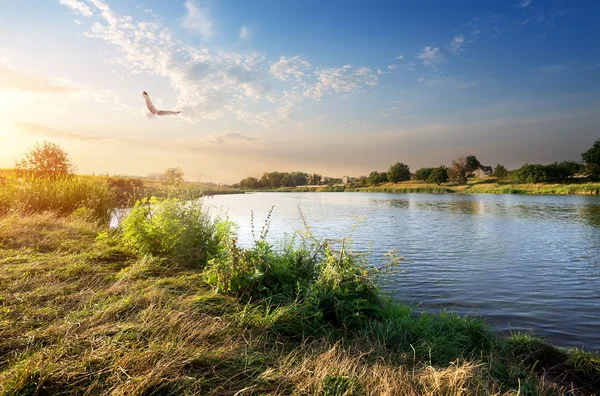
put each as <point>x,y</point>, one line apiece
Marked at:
<point>29,194</point>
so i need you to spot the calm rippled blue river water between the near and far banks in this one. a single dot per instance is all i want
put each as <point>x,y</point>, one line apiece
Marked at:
<point>524,262</point>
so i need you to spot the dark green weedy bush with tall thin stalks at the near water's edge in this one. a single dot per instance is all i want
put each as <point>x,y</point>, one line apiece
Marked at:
<point>335,288</point>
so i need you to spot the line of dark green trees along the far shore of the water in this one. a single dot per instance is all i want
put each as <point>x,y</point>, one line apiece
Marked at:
<point>458,172</point>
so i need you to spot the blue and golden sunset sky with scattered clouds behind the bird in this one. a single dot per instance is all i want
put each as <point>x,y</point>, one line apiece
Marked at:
<point>333,87</point>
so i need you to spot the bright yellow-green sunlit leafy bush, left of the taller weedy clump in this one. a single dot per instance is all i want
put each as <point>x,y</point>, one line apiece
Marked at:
<point>175,229</point>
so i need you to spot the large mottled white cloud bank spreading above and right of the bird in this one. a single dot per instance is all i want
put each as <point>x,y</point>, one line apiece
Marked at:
<point>214,84</point>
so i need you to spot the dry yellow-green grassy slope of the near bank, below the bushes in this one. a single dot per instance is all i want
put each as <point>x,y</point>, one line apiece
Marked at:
<point>80,314</point>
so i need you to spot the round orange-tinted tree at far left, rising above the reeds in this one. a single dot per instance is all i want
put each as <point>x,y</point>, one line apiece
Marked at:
<point>46,160</point>
